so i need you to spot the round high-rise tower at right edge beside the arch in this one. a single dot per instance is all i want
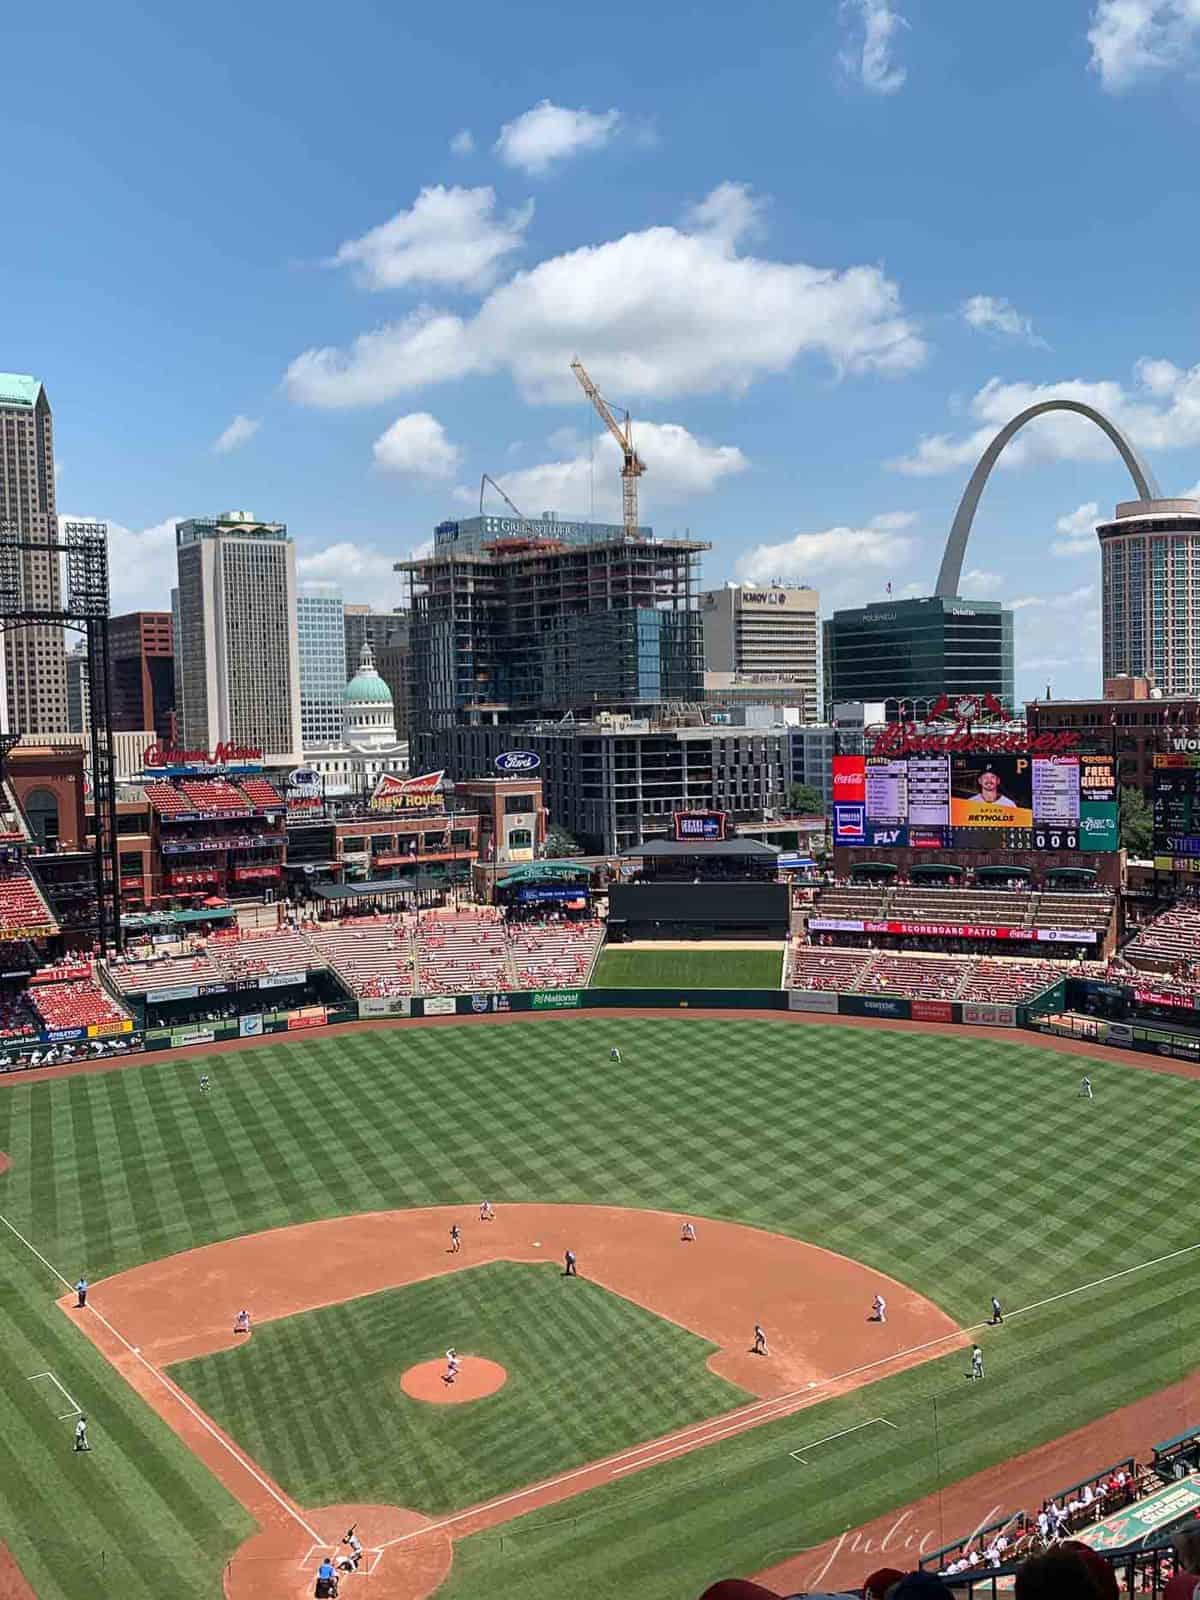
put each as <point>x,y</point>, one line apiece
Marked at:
<point>1151,593</point>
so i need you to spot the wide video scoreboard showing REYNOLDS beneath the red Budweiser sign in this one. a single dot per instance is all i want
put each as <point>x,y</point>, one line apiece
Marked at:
<point>977,801</point>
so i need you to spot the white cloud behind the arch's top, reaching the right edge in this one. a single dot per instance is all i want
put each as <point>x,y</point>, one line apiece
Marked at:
<point>1159,412</point>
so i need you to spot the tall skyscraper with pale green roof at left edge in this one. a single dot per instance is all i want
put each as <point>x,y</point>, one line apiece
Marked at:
<point>36,666</point>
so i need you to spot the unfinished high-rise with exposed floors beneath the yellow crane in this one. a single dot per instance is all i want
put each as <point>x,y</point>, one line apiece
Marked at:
<point>516,620</point>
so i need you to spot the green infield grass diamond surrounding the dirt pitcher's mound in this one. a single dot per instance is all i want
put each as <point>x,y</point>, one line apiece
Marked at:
<point>588,1372</point>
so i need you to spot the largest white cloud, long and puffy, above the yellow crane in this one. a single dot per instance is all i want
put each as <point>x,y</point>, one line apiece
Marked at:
<point>658,313</point>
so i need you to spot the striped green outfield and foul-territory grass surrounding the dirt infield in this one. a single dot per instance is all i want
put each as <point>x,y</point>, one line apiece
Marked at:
<point>961,1166</point>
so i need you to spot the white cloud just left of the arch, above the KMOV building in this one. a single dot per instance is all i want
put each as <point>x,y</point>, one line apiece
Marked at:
<point>849,566</point>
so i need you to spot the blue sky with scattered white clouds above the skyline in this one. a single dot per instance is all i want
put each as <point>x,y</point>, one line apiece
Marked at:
<point>332,266</point>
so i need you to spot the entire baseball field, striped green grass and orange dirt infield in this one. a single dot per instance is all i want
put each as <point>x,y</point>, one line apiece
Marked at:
<point>818,1166</point>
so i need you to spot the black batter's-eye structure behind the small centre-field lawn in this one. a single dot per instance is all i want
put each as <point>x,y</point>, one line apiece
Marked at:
<point>722,887</point>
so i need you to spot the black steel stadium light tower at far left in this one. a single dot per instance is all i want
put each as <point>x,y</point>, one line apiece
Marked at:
<point>86,610</point>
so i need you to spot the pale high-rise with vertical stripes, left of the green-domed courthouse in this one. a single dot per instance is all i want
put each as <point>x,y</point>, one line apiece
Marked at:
<point>238,636</point>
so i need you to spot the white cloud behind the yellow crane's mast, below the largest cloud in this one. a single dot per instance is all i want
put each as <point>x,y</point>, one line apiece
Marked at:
<point>679,466</point>
